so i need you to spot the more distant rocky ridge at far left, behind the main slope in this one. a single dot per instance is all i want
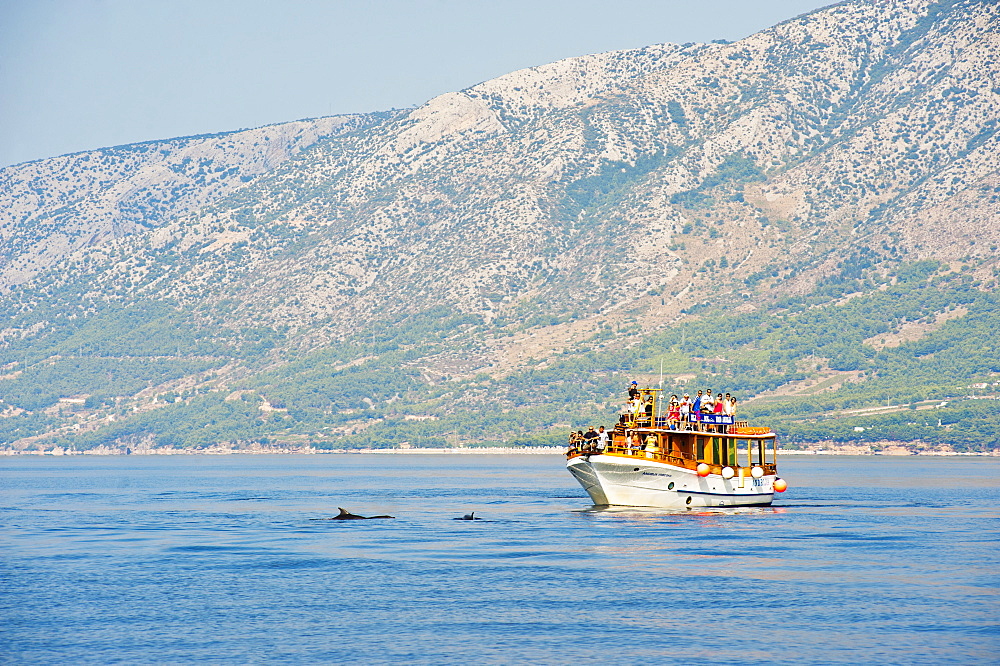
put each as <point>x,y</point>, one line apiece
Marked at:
<point>51,208</point>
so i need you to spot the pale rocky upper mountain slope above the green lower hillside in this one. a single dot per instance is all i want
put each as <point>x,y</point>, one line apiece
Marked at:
<point>514,224</point>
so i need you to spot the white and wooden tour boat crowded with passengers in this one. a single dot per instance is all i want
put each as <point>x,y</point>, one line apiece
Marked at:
<point>713,460</point>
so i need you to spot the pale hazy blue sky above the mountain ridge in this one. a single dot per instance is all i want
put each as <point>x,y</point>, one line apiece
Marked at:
<point>82,74</point>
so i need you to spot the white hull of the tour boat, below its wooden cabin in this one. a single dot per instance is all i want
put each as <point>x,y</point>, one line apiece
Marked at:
<point>630,481</point>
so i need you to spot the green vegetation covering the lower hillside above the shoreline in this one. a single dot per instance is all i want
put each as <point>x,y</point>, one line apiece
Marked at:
<point>372,391</point>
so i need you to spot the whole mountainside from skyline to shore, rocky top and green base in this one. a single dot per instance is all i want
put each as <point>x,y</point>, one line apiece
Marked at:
<point>800,216</point>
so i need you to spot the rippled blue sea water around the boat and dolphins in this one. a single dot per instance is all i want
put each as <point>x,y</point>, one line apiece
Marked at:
<point>220,559</point>
